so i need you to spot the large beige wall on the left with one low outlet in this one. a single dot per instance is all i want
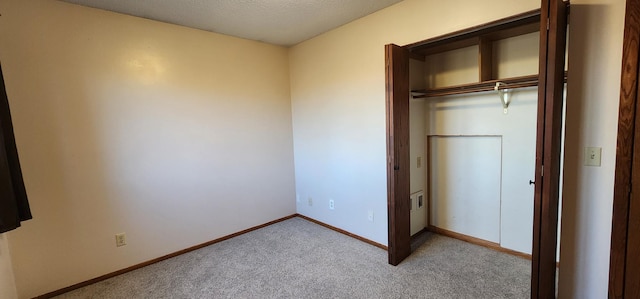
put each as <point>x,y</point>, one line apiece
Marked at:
<point>173,135</point>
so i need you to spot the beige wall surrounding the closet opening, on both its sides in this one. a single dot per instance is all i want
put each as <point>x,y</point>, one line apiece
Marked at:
<point>338,103</point>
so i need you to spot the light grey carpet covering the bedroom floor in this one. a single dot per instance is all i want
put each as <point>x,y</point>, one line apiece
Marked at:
<point>299,259</point>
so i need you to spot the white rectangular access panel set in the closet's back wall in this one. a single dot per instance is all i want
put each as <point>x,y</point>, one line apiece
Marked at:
<point>465,172</point>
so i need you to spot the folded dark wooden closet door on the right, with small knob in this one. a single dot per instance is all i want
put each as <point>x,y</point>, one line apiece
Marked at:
<point>553,30</point>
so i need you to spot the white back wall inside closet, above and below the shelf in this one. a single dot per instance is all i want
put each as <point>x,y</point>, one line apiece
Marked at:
<point>492,154</point>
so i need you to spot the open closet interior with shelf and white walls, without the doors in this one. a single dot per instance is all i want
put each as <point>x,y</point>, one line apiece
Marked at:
<point>473,121</point>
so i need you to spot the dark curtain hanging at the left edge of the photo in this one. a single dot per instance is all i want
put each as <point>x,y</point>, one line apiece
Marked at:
<point>14,207</point>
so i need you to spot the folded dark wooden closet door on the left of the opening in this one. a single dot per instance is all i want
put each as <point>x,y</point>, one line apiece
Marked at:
<point>397,77</point>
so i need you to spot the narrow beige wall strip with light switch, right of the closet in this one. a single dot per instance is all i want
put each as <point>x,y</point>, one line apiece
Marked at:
<point>593,89</point>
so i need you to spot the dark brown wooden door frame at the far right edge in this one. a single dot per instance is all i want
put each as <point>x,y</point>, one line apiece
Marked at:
<point>622,278</point>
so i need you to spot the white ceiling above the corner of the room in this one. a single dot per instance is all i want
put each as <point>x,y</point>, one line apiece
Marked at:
<point>279,22</point>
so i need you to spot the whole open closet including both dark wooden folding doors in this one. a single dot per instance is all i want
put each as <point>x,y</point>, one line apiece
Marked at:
<point>487,164</point>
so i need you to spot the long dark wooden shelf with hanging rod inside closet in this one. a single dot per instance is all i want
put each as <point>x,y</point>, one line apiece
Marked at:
<point>489,85</point>
